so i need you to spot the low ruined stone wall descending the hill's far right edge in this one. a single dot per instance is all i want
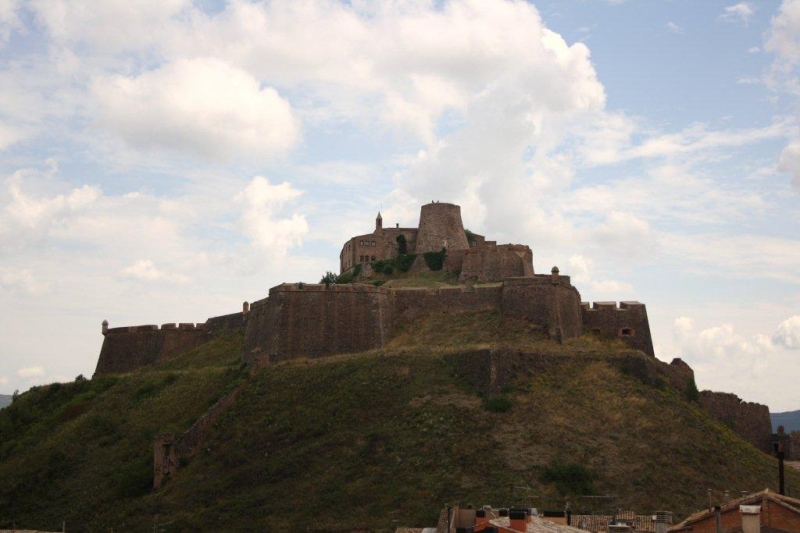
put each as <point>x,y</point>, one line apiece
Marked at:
<point>749,420</point>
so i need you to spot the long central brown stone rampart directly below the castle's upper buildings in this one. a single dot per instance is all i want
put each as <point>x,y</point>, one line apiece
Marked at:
<point>316,320</point>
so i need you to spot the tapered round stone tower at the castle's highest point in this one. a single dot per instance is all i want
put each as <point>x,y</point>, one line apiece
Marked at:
<point>440,227</point>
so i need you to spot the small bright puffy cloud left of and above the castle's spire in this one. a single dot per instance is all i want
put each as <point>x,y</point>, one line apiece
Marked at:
<point>263,205</point>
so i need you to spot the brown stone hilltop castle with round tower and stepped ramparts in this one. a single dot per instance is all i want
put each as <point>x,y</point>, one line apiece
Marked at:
<point>317,320</point>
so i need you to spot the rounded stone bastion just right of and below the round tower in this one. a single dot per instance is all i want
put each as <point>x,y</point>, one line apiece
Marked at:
<point>496,263</point>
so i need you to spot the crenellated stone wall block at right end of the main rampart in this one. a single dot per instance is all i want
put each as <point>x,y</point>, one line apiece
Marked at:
<point>627,322</point>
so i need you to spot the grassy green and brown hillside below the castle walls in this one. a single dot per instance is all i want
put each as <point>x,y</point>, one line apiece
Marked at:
<point>374,440</point>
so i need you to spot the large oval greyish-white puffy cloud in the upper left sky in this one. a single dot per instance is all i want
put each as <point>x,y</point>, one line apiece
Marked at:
<point>199,105</point>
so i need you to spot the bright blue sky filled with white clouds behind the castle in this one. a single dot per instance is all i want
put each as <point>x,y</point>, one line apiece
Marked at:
<point>166,160</point>
